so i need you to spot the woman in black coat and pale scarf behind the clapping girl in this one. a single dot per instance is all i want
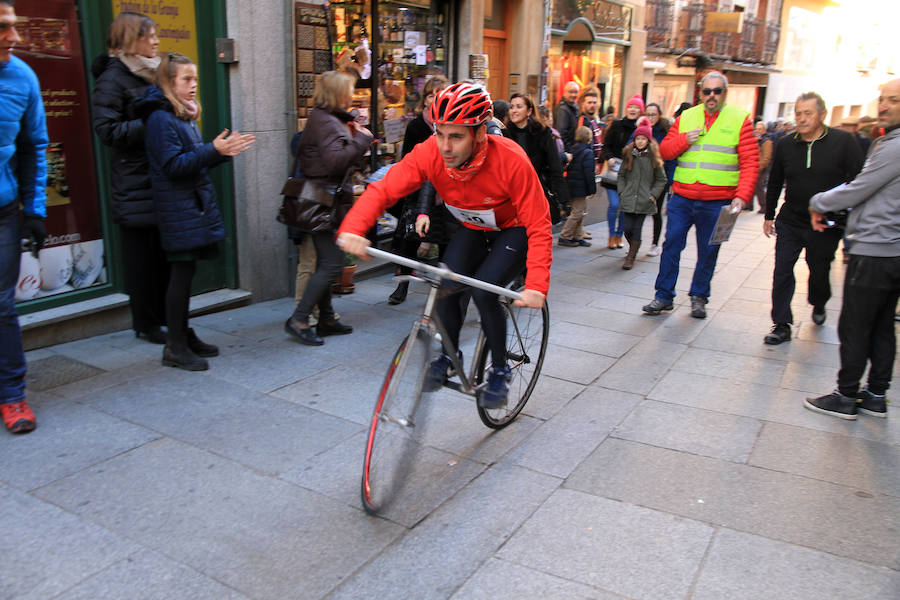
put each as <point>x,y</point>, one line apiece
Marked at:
<point>122,76</point>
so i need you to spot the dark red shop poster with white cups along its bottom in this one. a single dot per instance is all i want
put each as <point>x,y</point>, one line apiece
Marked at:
<point>73,255</point>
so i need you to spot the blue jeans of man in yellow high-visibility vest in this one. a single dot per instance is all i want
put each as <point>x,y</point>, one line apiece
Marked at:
<point>682,213</point>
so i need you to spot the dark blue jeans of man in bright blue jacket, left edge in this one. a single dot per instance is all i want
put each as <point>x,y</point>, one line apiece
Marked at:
<point>12,358</point>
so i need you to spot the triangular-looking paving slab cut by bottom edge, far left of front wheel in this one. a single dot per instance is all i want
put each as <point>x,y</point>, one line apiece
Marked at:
<point>157,578</point>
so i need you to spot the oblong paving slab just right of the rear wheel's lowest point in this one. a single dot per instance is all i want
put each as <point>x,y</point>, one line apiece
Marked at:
<point>560,444</point>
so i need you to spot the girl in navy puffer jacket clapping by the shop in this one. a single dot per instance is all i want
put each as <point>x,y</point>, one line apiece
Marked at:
<point>190,223</point>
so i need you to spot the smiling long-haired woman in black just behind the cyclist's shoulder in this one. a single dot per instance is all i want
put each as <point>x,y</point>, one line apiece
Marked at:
<point>539,145</point>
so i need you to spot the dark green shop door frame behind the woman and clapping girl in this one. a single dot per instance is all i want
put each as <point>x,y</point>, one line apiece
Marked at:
<point>94,18</point>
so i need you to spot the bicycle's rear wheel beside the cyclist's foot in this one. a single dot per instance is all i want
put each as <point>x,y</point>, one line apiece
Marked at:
<point>527,331</point>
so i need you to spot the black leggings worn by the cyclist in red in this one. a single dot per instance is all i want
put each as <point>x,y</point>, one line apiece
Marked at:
<point>495,257</point>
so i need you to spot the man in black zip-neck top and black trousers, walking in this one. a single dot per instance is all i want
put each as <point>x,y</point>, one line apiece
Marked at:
<point>814,159</point>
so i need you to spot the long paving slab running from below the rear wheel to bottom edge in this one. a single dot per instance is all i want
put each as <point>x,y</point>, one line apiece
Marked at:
<point>437,557</point>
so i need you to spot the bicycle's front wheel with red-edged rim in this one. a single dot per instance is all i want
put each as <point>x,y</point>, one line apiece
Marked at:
<point>393,440</point>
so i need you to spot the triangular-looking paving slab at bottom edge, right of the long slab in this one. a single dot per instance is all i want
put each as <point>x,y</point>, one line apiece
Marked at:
<point>504,579</point>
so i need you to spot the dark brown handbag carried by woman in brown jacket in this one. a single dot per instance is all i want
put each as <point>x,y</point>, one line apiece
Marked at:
<point>311,205</point>
